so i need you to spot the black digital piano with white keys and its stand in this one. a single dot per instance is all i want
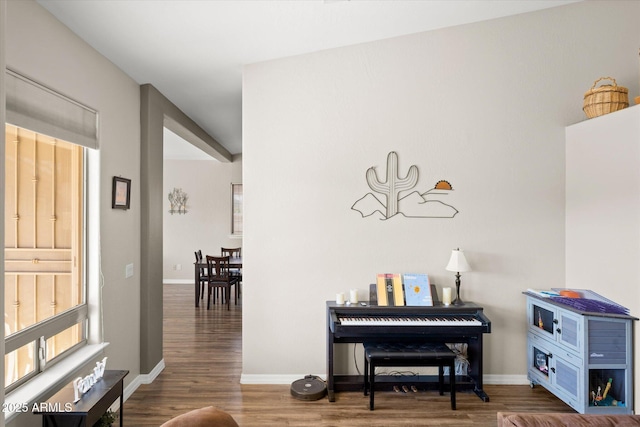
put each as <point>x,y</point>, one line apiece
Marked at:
<point>452,324</point>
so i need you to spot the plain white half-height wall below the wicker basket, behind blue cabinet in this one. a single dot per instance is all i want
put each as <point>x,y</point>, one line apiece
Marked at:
<point>603,210</point>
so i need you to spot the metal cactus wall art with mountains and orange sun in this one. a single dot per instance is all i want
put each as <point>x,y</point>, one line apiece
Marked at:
<point>411,205</point>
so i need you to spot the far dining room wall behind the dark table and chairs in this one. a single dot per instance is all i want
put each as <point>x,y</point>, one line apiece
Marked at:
<point>207,225</point>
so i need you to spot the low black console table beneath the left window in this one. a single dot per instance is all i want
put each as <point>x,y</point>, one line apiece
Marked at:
<point>88,410</point>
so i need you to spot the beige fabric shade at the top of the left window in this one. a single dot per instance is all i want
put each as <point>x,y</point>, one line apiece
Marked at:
<point>42,110</point>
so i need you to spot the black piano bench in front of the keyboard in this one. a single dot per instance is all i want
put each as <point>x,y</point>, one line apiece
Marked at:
<point>398,354</point>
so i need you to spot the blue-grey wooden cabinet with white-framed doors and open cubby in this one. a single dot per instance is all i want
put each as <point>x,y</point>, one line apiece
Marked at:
<point>584,358</point>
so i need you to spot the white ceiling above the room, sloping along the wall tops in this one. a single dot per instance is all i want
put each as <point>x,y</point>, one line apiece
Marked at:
<point>193,51</point>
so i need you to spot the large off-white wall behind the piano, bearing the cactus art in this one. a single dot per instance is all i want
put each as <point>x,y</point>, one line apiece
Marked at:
<point>482,106</point>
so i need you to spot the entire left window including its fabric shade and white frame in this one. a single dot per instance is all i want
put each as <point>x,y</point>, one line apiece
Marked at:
<point>51,148</point>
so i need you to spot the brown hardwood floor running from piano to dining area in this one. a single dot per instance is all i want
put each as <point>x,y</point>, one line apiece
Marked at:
<point>202,354</point>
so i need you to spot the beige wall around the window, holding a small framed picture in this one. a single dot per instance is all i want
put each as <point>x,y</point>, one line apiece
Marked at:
<point>40,47</point>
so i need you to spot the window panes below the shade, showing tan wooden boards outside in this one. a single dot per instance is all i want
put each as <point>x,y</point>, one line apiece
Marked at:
<point>45,292</point>
